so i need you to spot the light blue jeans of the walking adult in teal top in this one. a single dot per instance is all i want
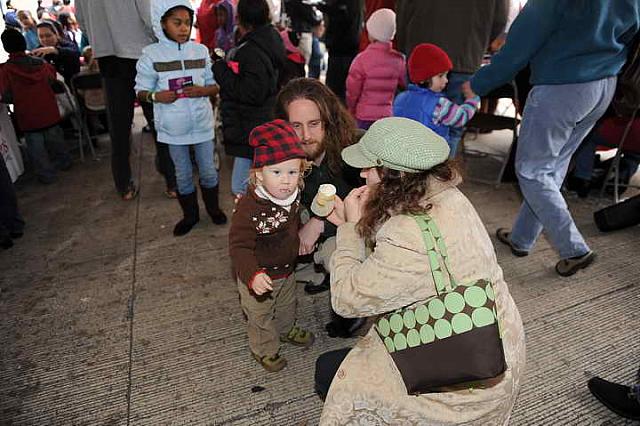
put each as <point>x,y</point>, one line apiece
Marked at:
<point>556,118</point>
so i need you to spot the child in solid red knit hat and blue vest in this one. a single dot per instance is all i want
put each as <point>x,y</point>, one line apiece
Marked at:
<point>424,100</point>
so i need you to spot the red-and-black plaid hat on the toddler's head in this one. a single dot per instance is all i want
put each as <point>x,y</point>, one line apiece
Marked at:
<point>274,142</point>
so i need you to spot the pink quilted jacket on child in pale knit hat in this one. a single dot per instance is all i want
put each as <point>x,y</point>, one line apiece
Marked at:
<point>374,76</point>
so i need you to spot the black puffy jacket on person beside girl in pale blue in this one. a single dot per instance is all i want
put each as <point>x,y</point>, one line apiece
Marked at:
<point>248,97</point>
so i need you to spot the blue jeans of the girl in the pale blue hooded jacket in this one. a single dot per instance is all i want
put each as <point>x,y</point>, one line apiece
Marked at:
<point>184,169</point>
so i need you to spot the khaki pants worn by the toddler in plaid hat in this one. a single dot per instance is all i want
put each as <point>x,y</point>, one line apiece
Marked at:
<point>269,315</point>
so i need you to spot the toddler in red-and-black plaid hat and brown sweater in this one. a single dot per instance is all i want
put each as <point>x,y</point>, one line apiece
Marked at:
<point>264,243</point>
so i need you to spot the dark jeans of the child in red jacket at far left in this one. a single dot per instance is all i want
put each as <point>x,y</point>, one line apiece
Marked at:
<point>41,144</point>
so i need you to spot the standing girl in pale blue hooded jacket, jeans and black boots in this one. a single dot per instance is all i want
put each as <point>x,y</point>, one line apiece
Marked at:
<point>175,75</point>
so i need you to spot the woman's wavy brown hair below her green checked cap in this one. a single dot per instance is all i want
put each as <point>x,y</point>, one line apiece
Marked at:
<point>400,193</point>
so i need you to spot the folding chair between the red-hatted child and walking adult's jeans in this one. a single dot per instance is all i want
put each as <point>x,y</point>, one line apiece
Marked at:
<point>485,161</point>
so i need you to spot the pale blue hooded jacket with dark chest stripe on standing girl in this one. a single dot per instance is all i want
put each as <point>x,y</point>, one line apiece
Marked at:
<point>186,120</point>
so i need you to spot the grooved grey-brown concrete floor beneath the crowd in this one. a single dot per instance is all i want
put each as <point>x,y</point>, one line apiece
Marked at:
<point>107,319</point>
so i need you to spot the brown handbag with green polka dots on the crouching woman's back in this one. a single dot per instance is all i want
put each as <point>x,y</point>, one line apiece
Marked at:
<point>450,339</point>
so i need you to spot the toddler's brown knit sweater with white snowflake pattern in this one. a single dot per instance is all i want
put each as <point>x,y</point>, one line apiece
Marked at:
<point>263,238</point>
